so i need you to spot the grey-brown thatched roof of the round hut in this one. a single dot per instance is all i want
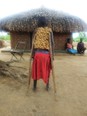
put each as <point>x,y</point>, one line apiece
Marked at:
<point>27,21</point>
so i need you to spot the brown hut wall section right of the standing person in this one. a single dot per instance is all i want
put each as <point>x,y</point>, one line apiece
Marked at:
<point>60,40</point>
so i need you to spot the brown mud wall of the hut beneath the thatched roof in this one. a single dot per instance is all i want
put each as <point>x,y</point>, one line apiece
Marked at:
<point>59,39</point>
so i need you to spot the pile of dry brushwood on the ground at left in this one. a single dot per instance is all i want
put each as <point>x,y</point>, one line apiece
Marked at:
<point>6,70</point>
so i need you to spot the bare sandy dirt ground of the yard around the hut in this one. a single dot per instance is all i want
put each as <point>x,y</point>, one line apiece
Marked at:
<point>71,85</point>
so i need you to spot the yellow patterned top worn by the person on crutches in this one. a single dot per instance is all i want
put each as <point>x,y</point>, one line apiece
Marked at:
<point>42,38</point>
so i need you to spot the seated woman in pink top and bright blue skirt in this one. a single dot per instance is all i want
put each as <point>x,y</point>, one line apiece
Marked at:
<point>69,47</point>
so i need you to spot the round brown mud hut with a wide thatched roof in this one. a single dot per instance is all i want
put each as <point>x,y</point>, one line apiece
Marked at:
<point>21,26</point>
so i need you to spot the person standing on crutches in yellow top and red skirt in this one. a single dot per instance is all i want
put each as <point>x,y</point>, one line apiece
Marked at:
<point>41,65</point>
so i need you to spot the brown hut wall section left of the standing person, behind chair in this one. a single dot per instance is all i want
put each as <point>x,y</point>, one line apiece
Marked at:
<point>16,37</point>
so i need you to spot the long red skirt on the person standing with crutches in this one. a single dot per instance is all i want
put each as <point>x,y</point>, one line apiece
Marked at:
<point>41,66</point>
